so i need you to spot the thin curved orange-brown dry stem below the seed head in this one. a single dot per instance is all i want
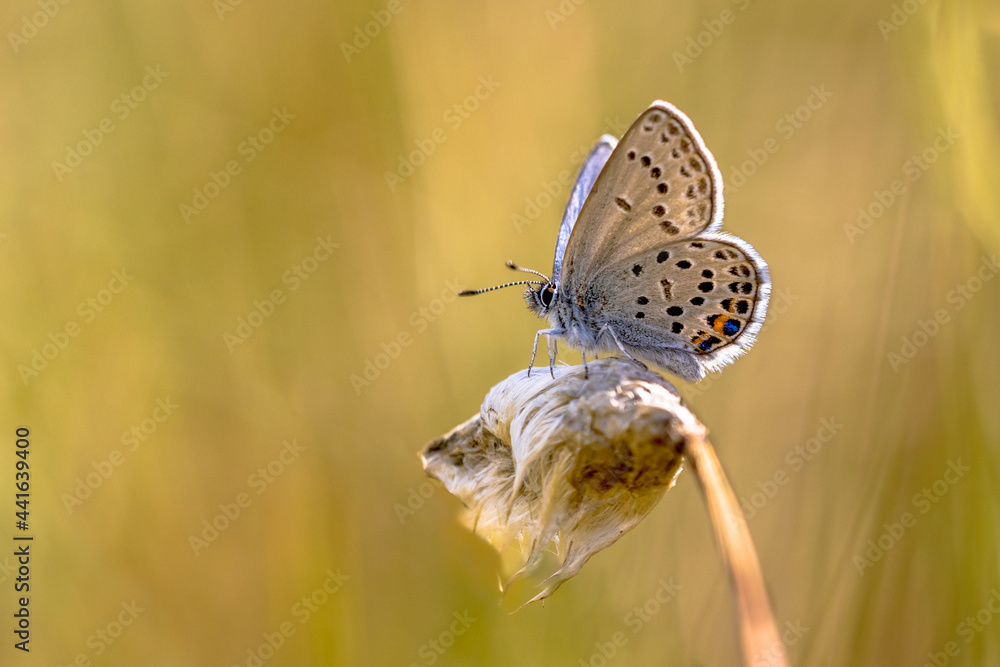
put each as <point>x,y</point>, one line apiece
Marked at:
<point>759,633</point>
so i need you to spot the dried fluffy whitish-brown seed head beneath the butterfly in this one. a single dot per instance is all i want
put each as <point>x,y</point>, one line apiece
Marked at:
<point>572,460</point>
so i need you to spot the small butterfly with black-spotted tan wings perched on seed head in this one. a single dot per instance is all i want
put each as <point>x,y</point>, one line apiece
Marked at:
<point>641,265</point>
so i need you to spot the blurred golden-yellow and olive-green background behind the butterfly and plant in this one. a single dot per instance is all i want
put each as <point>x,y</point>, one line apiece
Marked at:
<point>425,143</point>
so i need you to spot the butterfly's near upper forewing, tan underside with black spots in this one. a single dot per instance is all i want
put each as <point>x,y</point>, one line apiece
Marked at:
<point>660,185</point>
